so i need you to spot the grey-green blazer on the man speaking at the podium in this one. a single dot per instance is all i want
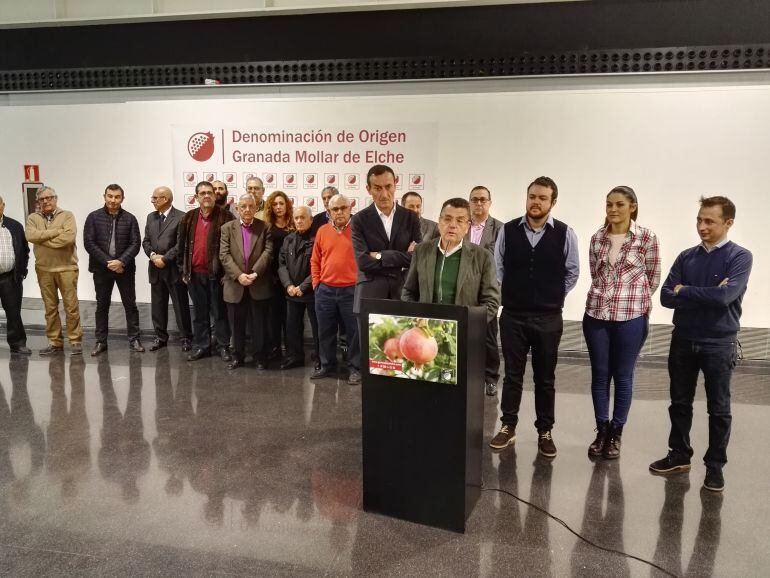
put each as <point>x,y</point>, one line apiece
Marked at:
<point>476,279</point>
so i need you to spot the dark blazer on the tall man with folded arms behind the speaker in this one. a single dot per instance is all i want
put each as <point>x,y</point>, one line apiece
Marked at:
<point>369,236</point>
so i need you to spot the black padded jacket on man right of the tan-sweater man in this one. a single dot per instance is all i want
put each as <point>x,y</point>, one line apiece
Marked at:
<point>96,239</point>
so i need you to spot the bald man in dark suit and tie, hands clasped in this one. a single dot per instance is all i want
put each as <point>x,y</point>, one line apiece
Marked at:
<point>160,245</point>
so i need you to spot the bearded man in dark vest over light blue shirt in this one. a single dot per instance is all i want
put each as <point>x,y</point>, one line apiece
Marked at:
<point>537,265</point>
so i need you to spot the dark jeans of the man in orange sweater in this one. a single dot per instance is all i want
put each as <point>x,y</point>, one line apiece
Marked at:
<point>334,308</point>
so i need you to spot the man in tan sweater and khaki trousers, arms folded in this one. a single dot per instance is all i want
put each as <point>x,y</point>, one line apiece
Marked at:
<point>52,232</point>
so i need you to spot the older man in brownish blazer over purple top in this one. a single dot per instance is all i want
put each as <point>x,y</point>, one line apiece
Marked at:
<point>245,250</point>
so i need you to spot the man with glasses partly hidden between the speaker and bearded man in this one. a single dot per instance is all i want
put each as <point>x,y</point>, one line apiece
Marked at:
<point>483,232</point>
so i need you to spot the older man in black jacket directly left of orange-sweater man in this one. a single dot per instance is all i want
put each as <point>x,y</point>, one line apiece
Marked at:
<point>294,274</point>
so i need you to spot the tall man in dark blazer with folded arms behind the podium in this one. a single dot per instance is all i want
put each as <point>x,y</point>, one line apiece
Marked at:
<point>384,236</point>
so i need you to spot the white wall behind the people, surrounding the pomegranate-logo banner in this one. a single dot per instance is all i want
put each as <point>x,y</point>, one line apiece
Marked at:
<point>671,145</point>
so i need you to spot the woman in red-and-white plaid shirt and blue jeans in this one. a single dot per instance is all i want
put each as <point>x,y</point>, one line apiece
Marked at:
<point>625,272</point>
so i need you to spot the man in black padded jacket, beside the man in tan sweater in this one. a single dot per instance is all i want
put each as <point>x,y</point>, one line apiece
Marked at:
<point>111,239</point>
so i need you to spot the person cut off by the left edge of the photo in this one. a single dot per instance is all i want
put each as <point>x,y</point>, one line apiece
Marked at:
<point>14,256</point>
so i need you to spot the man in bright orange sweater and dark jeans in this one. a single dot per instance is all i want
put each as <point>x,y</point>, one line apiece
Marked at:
<point>333,271</point>
